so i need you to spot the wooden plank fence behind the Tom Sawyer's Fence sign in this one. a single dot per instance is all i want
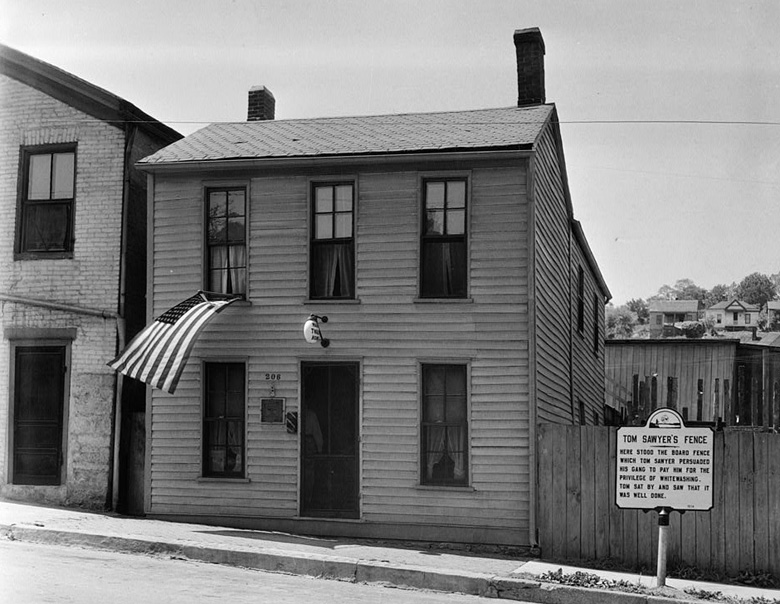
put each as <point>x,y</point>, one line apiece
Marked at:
<point>577,518</point>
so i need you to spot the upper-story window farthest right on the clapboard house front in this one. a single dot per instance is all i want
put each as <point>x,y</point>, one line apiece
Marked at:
<point>443,249</point>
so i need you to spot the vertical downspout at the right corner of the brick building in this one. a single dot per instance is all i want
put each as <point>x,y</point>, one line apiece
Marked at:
<point>121,333</point>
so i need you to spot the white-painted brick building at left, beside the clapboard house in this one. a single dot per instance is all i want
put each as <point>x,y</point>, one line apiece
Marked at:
<point>72,282</point>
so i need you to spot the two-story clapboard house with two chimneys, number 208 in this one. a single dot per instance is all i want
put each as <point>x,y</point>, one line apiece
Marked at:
<point>463,305</point>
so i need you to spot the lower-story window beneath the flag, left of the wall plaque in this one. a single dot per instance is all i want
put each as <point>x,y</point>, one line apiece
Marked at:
<point>223,420</point>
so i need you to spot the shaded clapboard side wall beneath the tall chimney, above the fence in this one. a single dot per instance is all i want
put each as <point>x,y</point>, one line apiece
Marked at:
<point>552,294</point>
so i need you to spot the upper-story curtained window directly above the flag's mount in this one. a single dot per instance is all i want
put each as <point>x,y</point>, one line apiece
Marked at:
<point>226,240</point>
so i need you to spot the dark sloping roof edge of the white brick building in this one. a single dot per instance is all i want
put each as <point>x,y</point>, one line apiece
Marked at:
<point>78,93</point>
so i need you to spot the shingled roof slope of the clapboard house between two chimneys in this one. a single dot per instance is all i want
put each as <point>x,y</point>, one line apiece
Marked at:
<point>514,128</point>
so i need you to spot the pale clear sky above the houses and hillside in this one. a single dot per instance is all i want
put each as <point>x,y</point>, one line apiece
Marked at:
<point>670,111</point>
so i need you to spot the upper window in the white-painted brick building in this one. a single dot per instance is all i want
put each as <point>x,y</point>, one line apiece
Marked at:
<point>45,224</point>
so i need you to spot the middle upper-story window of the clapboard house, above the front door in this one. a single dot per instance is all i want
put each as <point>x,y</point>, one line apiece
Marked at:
<point>332,264</point>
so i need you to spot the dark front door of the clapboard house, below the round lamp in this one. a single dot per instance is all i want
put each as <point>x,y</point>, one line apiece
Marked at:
<point>329,411</point>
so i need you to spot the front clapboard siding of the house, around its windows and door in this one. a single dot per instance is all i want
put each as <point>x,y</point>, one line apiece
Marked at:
<point>386,330</point>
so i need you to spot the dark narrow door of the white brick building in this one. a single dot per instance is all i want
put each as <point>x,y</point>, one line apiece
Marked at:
<point>39,396</point>
